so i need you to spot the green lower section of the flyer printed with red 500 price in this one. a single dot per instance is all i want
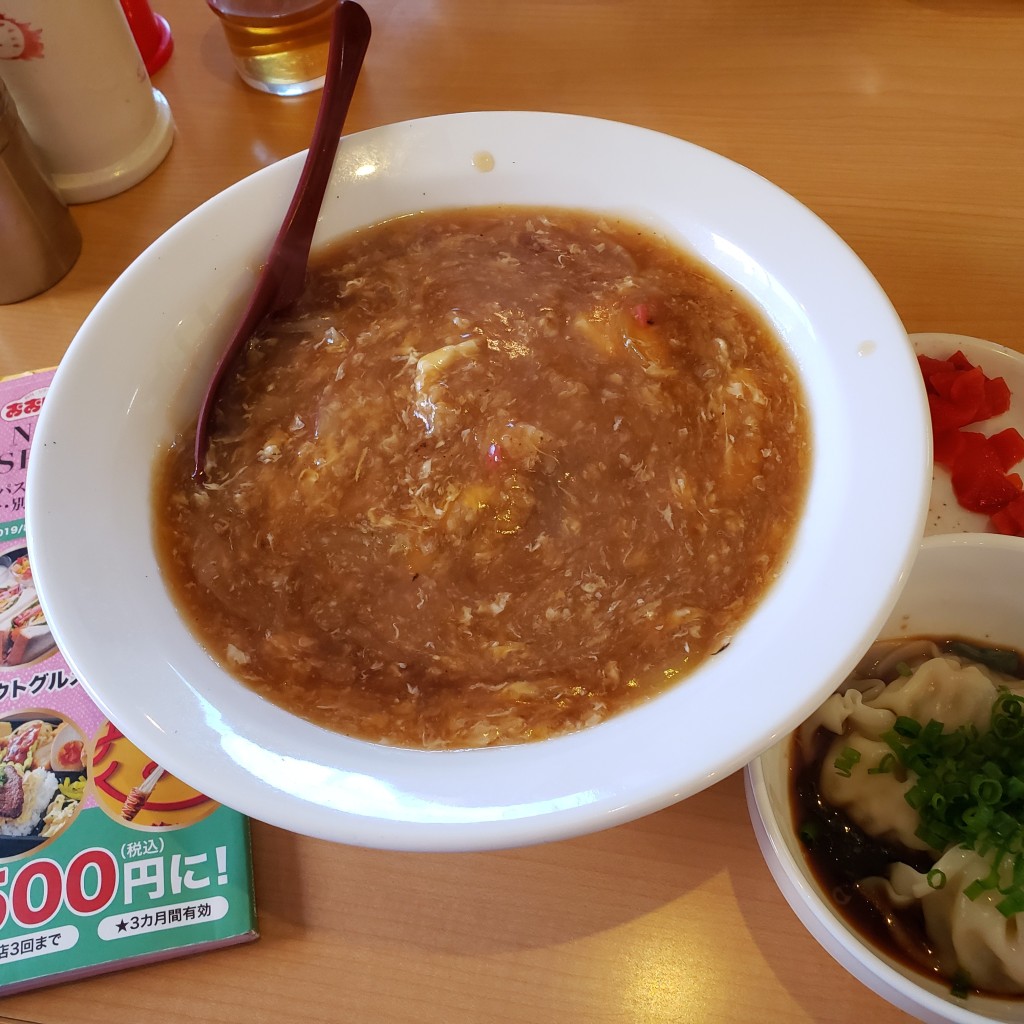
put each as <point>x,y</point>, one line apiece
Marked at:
<point>104,893</point>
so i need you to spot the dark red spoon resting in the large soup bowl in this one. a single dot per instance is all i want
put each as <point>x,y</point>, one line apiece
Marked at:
<point>283,275</point>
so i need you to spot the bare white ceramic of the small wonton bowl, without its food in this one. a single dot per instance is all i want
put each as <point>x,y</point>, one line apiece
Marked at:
<point>966,585</point>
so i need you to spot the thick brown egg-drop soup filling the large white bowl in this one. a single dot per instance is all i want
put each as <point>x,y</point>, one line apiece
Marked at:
<point>501,475</point>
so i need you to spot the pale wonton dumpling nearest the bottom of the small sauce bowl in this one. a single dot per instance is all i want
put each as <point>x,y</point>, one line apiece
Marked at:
<point>967,935</point>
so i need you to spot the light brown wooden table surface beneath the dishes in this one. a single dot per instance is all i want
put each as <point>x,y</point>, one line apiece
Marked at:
<point>900,122</point>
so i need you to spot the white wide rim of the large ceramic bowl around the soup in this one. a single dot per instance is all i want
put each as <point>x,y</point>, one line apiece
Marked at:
<point>134,376</point>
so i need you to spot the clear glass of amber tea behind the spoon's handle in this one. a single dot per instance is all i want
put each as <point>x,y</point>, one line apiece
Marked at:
<point>279,47</point>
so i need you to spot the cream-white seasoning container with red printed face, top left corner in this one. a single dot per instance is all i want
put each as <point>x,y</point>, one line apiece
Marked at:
<point>83,94</point>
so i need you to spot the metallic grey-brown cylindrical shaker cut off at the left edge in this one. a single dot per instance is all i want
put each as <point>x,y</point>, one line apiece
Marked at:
<point>39,242</point>
